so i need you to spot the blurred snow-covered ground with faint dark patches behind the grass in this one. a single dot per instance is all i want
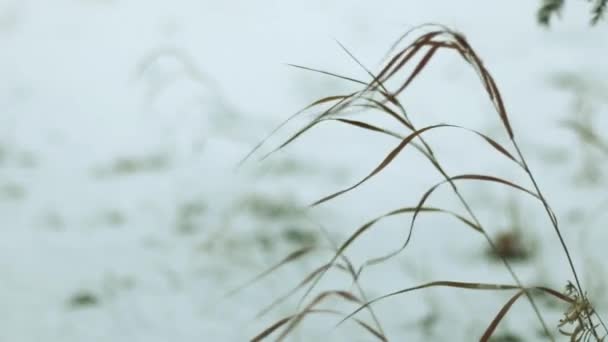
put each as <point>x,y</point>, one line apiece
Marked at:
<point>123,216</point>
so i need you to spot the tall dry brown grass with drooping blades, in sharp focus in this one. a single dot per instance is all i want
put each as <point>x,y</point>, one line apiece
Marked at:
<point>580,321</point>
